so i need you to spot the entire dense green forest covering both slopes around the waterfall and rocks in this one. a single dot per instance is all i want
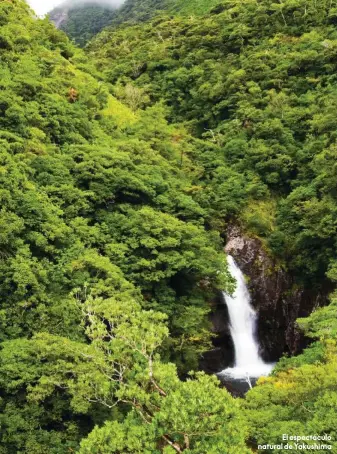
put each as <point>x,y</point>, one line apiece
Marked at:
<point>121,166</point>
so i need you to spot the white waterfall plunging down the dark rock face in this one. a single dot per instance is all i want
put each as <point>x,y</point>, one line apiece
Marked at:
<point>242,317</point>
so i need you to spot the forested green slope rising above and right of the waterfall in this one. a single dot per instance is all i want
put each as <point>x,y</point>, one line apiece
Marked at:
<point>260,83</point>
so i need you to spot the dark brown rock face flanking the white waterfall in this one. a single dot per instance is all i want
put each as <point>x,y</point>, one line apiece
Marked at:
<point>276,299</point>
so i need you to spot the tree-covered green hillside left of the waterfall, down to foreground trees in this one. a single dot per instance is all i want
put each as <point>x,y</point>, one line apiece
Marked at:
<point>99,230</point>
